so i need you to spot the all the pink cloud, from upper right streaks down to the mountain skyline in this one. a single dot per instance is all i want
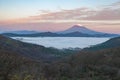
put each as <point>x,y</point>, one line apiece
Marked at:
<point>105,18</point>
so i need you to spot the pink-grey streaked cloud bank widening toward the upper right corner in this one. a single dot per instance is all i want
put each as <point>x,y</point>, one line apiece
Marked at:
<point>107,12</point>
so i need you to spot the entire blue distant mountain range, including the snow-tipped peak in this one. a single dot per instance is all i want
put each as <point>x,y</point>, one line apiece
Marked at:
<point>74,31</point>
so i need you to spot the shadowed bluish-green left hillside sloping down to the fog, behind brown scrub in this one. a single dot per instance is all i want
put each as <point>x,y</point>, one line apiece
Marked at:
<point>32,51</point>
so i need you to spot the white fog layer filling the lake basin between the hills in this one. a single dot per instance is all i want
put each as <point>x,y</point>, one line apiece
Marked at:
<point>63,42</point>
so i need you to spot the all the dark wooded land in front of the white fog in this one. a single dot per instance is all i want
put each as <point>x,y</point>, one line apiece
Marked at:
<point>87,64</point>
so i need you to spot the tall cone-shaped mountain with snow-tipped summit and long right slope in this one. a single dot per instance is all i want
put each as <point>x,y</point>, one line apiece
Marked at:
<point>83,30</point>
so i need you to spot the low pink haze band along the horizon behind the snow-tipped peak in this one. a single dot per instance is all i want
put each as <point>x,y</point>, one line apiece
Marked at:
<point>50,26</point>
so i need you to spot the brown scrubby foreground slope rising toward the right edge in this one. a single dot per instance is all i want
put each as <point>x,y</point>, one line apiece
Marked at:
<point>100,65</point>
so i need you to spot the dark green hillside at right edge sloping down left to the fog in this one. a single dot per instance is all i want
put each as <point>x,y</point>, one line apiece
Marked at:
<point>112,43</point>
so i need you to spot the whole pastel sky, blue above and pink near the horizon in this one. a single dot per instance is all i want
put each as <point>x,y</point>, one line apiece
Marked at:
<point>57,15</point>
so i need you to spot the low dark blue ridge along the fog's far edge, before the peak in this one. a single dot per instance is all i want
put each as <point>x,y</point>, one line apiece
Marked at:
<point>51,34</point>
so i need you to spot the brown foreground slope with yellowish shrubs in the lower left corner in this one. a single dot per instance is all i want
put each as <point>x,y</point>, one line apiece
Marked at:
<point>17,67</point>
